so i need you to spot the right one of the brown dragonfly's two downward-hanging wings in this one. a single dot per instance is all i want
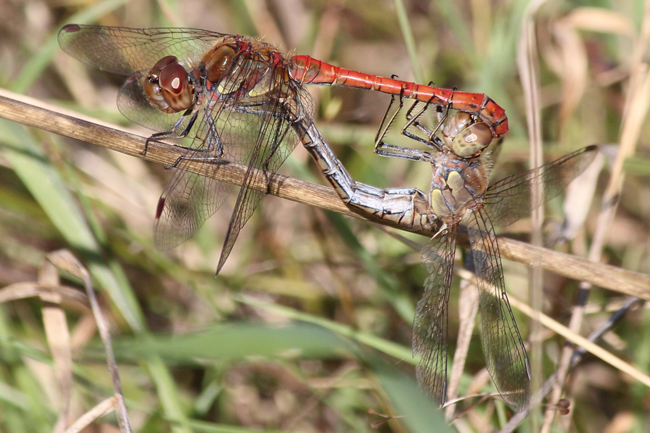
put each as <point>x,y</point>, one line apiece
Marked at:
<point>505,354</point>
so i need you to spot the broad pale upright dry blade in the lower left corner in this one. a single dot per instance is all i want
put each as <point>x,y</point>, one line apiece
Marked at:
<point>58,338</point>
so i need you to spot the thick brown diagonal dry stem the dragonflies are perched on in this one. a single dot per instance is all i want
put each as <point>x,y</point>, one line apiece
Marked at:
<point>29,114</point>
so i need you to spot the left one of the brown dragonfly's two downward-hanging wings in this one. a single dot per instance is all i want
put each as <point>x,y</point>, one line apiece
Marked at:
<point>430,324</point>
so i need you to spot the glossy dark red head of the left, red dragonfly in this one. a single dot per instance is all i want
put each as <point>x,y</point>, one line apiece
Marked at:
<point>168,86</point>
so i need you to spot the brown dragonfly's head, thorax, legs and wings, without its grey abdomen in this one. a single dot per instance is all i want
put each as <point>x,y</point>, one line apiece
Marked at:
<point>459,196</point>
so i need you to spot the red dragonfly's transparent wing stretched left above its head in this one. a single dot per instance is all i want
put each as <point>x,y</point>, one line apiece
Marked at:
<point>124,50</point>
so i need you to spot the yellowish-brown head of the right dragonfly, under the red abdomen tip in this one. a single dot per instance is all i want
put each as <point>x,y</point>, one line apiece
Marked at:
<point>466,137</point>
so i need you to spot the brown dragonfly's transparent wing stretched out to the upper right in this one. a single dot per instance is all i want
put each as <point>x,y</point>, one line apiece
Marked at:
<point>511,198</point>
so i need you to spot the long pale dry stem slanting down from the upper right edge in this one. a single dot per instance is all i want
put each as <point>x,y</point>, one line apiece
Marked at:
<point>636,108</point>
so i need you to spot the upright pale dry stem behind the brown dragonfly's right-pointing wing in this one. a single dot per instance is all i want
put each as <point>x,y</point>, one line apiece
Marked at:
<point>529,75</point>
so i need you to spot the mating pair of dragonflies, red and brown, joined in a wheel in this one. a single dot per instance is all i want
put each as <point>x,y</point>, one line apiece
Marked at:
<point>242,101</point>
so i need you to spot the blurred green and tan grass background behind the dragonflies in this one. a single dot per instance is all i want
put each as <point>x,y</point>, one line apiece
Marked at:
<point>308,325</point>
